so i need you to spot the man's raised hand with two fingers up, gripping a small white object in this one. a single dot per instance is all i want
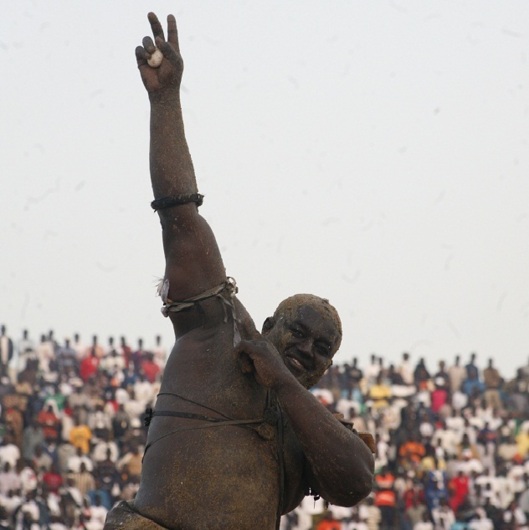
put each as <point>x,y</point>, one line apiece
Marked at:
<point>168,75</point>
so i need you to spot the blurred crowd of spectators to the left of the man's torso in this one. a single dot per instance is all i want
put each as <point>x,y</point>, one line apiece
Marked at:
<point>71,429</point>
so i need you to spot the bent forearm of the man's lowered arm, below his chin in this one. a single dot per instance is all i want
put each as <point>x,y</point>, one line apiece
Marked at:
<point>340,463</point>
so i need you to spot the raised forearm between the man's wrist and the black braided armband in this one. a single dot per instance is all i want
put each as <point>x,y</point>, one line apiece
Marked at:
<point>171,166</point>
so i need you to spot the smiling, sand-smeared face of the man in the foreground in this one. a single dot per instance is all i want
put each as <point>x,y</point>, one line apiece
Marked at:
<point>307,340</point>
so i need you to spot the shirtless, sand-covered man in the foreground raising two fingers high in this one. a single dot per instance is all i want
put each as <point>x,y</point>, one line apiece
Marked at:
<point>235,439</point>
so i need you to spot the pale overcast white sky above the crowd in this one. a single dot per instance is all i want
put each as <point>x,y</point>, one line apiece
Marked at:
<point>374,153</point>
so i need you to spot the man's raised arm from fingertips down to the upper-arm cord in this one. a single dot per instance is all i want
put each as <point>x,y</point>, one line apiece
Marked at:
<point>193,261</point>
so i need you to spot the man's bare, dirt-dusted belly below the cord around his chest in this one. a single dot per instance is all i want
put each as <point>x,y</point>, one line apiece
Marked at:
<point>216,477</point>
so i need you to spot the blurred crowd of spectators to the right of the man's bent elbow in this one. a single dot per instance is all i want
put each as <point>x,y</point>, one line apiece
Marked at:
<point>452,446</point>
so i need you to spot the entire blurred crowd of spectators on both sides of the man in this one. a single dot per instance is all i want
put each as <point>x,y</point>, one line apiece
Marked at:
<point>452,442</point>
